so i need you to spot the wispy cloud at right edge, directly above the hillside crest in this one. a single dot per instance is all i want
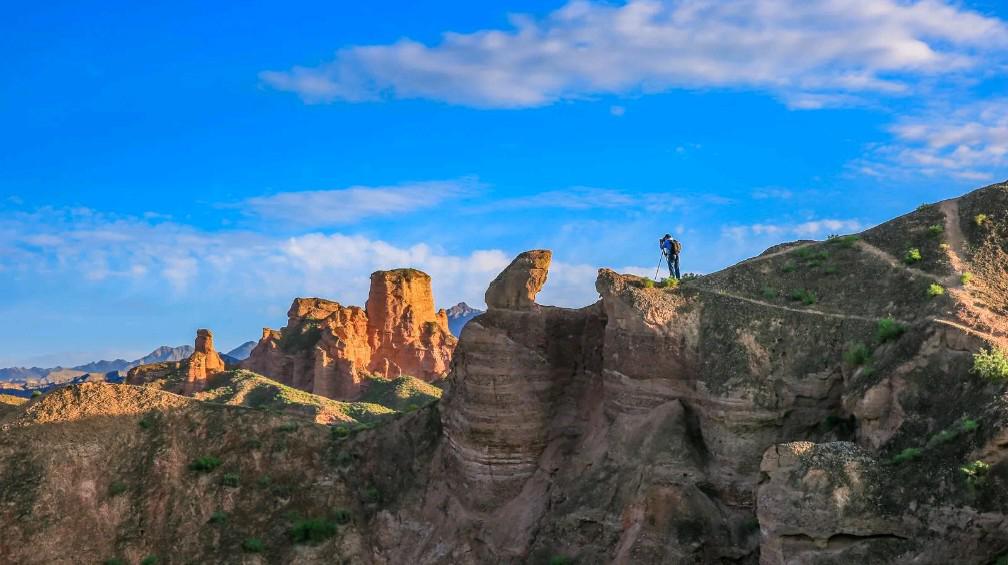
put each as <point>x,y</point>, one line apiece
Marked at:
<point>968,143</point>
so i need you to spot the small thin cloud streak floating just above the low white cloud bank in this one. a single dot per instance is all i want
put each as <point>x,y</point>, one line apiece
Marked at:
<point>317,209</point>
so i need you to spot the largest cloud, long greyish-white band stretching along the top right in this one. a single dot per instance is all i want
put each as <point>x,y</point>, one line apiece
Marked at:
<point>811,54</point>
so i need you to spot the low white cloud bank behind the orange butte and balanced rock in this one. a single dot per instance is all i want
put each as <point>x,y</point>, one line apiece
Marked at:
<point>179,263</point>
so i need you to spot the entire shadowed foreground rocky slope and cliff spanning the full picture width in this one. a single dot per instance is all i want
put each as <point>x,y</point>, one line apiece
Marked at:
<point>823,403</point>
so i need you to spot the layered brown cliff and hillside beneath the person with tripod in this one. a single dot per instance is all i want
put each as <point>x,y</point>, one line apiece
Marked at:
<point>660,426</point>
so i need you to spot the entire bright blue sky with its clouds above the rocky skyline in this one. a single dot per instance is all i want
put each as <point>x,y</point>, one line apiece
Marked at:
<point>168,169</point>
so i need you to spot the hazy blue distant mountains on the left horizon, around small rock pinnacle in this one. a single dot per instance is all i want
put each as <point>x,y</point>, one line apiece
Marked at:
<point>65,374</point>
